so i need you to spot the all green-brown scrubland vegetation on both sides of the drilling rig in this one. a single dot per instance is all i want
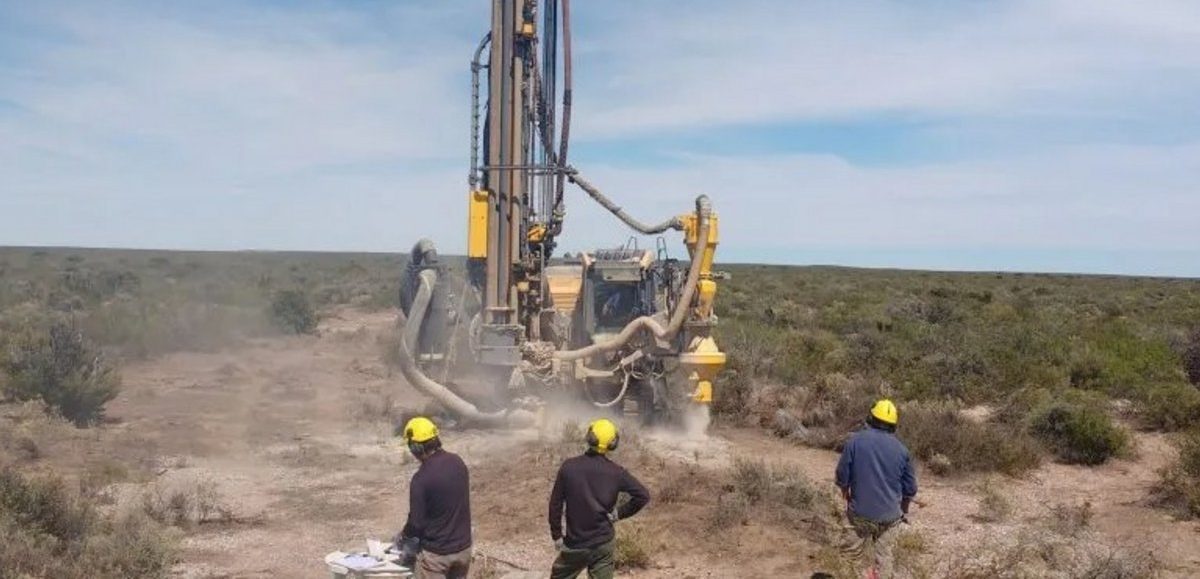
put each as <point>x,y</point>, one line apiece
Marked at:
<point>994,373</point>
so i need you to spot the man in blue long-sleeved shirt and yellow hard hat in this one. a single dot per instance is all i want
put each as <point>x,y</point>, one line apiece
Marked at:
<point>877,477</point>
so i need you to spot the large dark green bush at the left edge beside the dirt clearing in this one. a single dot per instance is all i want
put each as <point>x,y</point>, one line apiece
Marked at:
<point>64,371</point>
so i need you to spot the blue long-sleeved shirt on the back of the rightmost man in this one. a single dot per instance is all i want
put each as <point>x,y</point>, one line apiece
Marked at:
<point>878,470</point>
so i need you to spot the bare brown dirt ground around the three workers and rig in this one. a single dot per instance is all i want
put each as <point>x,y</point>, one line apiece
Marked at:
<point>295,437</point>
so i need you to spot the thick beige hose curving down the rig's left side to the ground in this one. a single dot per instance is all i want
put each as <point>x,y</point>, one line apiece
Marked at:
<point>454,403</point>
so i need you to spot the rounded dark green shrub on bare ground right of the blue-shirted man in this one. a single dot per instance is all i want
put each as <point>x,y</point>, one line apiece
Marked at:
<point>1079,433</point>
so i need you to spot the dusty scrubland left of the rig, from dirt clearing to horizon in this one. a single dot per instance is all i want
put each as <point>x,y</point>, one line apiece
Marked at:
<point>68,317</point>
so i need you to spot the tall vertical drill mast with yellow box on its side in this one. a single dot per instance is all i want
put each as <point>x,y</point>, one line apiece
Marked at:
<point>523,176</point>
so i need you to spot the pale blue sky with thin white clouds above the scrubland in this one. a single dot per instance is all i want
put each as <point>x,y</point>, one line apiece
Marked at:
<point>1039,135</point>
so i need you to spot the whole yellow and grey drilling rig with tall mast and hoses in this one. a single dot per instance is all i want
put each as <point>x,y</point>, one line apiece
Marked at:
<point>627,330</point>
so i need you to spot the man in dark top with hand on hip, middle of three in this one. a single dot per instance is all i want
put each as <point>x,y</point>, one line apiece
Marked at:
<point>589,487</point>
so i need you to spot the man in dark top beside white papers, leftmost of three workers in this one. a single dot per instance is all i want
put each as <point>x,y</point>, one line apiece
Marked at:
<point>437,535</point>
